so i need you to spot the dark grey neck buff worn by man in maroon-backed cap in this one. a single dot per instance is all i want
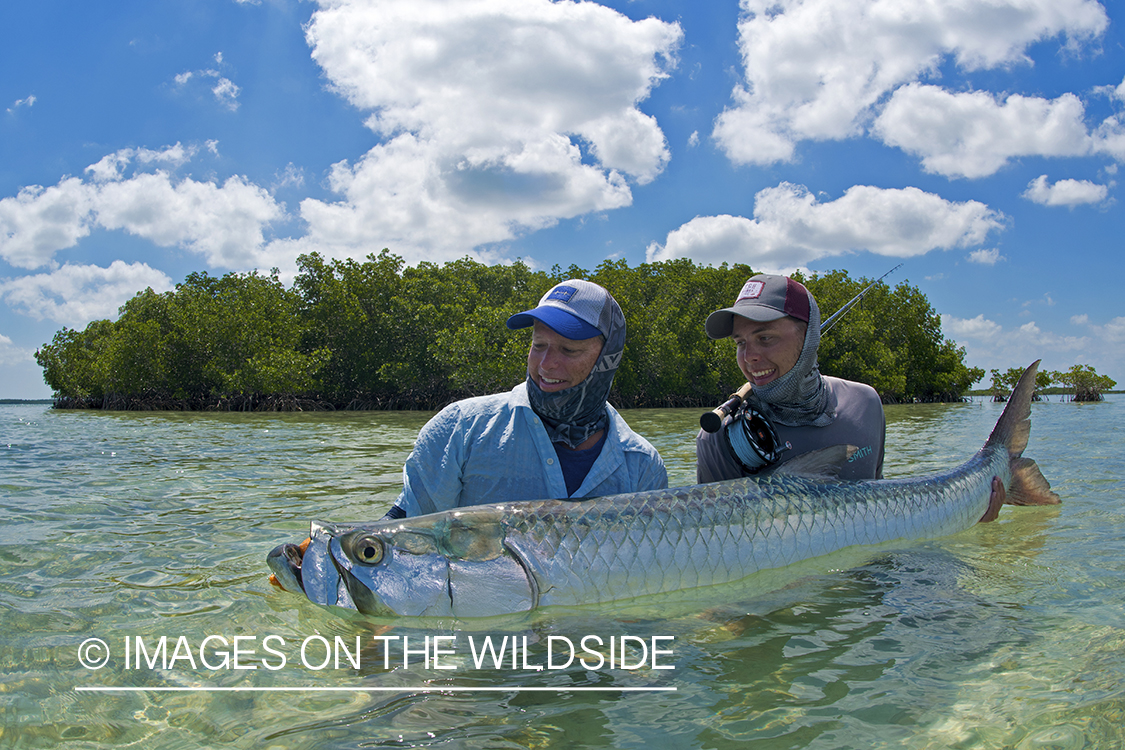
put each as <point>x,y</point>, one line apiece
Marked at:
<point>799,397</point>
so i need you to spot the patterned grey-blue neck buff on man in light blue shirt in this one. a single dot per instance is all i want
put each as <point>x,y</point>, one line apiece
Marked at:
<point>573,415</point>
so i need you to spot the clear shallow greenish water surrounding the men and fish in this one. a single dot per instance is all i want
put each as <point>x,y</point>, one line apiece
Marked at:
<point>136,527</point>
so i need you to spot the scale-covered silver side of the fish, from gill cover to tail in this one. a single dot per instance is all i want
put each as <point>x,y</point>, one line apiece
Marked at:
<point>773,523</point>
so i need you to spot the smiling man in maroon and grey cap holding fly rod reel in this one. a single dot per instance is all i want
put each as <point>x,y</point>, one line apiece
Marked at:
<point>791,409</point>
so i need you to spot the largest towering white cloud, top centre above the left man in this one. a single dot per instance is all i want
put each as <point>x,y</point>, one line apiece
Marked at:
<point>500,118</point>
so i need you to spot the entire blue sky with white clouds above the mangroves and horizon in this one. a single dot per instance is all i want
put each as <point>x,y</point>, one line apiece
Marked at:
<point>978,143</point>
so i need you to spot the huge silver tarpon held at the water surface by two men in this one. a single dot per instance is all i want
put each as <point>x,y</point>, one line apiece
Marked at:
<point>516,557</point>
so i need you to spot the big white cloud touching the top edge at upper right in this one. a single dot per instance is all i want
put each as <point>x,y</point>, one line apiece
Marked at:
<point>820,69</point>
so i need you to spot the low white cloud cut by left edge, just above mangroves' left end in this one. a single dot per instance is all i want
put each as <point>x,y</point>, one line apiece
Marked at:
<point>76,294</point>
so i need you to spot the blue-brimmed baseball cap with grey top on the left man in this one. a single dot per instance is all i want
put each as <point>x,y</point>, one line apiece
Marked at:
<point>575,309</point>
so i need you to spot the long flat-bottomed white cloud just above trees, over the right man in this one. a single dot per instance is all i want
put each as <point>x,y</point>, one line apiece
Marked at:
<point>791,229</point>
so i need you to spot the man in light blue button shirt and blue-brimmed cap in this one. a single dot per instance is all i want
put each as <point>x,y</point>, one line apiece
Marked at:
<point>553,436</point>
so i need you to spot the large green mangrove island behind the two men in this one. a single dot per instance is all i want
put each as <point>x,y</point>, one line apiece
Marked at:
<point>381,335</point>
